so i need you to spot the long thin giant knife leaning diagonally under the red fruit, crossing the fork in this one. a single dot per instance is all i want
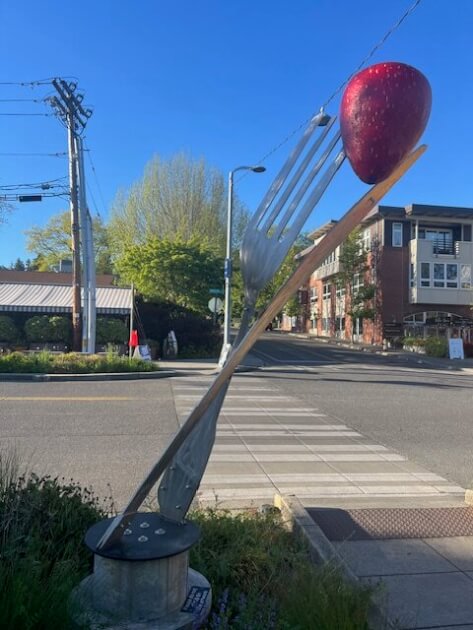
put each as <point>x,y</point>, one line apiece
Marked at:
<point>311,261</point>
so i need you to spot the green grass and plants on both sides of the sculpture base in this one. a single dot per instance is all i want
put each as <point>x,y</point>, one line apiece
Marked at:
<point>261,574</point>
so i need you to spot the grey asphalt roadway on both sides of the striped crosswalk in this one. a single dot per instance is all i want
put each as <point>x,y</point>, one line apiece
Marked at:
<point>107,434</point>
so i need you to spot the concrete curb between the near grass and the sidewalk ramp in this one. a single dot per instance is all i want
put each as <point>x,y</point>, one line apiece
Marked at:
<point>322,552</point>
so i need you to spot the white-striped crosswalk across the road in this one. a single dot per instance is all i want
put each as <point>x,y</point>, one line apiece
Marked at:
<point>241,426</point>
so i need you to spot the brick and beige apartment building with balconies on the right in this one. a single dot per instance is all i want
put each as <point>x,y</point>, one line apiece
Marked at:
<point>419,262</point>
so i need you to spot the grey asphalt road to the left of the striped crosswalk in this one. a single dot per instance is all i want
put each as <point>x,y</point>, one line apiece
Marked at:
<point>104,434</point>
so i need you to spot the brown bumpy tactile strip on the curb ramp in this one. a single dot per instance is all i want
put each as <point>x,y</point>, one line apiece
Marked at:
<point>379,523</point>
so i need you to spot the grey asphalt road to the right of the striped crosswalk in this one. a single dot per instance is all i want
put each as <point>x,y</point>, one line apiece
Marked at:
<point>403,402</point>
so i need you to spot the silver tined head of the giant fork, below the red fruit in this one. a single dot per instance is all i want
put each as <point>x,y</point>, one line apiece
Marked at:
<point>270,233</point>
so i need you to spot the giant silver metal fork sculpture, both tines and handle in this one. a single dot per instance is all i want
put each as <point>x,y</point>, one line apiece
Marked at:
<point>267,240</point>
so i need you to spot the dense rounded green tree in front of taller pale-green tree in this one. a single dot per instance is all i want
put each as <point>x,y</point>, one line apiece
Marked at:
<point>172,270</point>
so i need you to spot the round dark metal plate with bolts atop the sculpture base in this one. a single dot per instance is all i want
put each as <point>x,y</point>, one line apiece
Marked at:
<point>149,536</point>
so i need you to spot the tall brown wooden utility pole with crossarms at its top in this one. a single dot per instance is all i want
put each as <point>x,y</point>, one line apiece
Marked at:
<point>69,108</point>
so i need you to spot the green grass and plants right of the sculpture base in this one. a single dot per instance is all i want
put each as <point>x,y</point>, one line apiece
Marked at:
<point>262,578</point>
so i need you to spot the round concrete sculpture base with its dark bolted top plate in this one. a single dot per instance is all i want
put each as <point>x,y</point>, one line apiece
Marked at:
<point>144,580</point>
